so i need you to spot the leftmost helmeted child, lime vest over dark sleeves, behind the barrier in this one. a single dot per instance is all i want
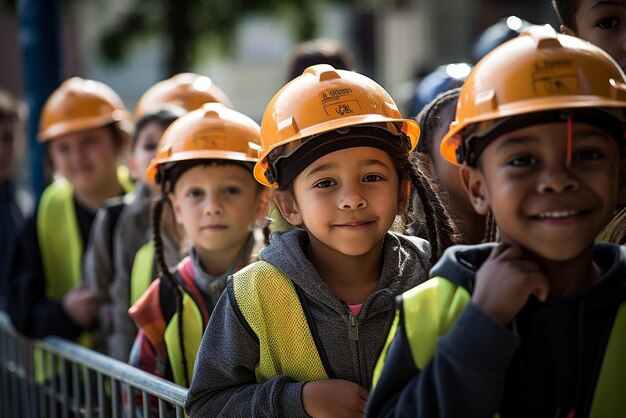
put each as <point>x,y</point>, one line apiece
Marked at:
<point>86,128</point>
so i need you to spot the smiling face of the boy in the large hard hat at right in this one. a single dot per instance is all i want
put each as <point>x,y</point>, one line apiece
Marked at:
<point>538,203</point>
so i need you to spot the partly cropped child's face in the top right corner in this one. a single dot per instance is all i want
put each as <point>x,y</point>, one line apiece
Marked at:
<point>603,23</point>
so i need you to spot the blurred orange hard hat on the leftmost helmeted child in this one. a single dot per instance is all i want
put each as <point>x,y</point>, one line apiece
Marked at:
<point>80,104</point>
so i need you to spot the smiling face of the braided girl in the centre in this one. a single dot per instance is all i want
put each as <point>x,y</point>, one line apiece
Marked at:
<point>347,200</point>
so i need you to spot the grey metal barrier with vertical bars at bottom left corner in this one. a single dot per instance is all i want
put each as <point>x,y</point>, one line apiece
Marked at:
<point>88,384</point>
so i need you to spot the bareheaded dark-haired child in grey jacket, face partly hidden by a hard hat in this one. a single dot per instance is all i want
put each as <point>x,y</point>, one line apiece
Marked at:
<point>119,230</point>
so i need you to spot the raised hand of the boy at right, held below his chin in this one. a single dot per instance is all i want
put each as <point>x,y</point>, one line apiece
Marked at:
<point>505,281</point>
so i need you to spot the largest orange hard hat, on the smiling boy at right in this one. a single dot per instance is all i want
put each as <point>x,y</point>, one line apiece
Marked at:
<point>537,72</point>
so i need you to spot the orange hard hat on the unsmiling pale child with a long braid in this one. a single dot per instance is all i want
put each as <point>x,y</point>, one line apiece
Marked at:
<point>212,132</point>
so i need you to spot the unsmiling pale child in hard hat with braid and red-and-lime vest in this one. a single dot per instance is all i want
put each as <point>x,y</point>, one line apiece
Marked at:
<point>203,166</point>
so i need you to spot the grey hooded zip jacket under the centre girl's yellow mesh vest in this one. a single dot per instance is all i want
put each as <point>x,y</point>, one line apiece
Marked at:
<point>224,382</point>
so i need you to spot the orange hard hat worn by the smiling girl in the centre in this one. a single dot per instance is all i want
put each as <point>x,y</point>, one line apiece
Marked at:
<point>321,100</point>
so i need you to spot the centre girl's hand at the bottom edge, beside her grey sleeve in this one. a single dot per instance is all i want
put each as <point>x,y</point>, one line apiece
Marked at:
<point>334,398</point>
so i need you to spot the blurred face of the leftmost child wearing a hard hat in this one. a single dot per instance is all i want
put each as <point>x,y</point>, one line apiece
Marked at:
<point>87,159</point>
